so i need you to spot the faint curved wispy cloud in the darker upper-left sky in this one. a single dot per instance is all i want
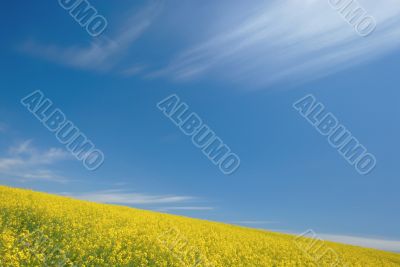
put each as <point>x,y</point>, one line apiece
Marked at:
<point>104,52</point>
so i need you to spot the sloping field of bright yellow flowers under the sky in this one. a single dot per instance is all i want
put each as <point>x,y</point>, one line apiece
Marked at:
<point>39,229</point>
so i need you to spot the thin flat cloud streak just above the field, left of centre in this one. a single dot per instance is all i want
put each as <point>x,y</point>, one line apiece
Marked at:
<point>129,198</point>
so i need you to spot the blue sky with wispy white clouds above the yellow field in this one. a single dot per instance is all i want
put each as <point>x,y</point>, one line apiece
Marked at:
<point>240,66</point>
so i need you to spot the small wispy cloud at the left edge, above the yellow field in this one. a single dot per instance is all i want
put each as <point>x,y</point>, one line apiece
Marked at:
<point>25,162</point>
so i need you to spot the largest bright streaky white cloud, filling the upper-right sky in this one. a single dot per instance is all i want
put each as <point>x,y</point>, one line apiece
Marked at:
<point>288,39</point>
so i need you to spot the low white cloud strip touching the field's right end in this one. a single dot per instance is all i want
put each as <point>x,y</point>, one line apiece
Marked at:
<point>383,244</point>
